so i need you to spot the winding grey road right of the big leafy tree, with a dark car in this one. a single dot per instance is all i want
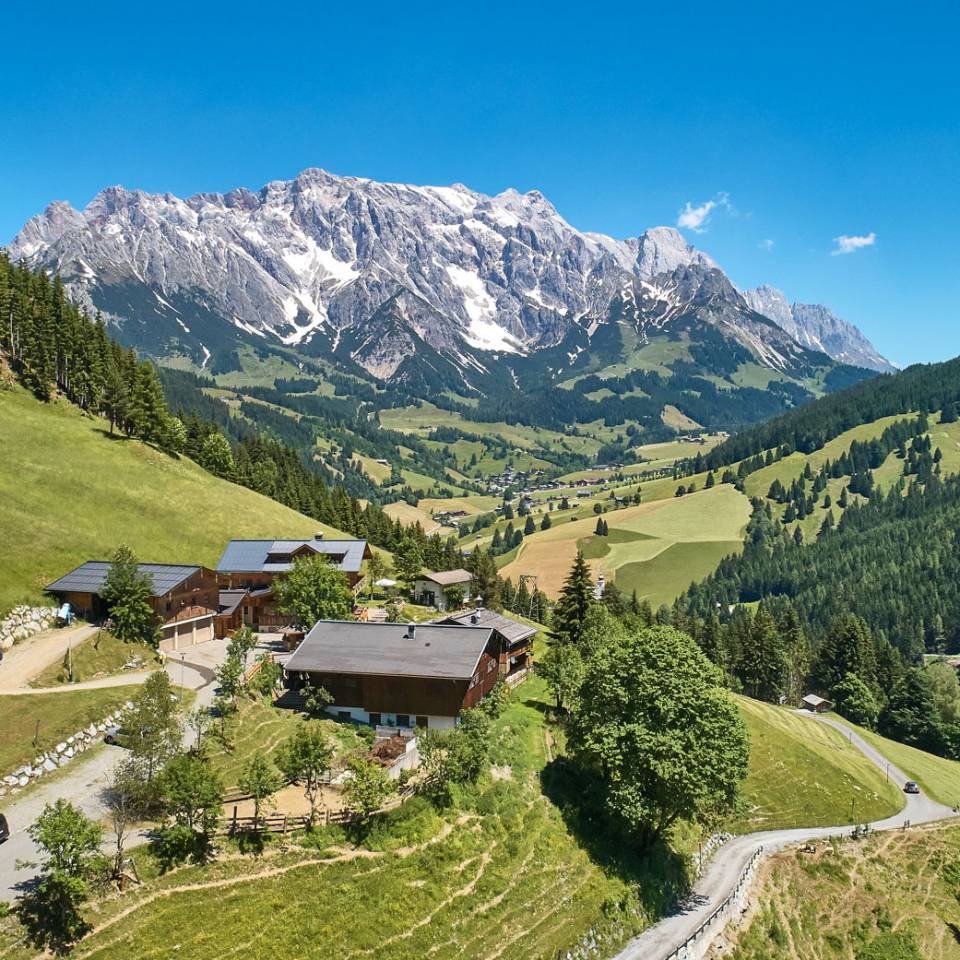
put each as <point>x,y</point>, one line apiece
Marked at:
<point>721,876</point>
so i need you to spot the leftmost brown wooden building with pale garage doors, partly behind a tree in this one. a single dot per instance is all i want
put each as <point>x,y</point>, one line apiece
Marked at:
<point>185,598</point>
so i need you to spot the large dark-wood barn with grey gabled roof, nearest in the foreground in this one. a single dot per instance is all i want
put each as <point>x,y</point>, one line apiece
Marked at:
<point>395,674</point>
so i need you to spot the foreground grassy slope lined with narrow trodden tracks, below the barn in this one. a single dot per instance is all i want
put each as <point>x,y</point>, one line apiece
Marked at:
<point>507,877</point>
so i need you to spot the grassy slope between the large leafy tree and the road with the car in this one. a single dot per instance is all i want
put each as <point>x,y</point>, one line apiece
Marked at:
<point>805,773</point>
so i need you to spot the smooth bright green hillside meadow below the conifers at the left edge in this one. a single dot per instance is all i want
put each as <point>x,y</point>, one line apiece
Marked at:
<point>68,493</point>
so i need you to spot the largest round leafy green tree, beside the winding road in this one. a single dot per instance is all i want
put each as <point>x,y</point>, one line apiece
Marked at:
<point>660,733</point>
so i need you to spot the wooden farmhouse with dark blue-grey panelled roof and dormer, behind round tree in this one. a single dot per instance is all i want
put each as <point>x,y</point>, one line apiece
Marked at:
<point>251,566</point>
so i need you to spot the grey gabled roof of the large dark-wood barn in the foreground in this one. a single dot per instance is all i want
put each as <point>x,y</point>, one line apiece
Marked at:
<point>387,649</point>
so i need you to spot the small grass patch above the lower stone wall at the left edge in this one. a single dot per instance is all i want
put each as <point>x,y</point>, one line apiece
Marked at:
<point>59,715</point>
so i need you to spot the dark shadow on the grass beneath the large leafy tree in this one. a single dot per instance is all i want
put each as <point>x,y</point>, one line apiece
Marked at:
<point>659,874</point>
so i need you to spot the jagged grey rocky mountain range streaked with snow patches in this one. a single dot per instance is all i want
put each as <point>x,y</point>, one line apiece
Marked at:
<point>398,281</point>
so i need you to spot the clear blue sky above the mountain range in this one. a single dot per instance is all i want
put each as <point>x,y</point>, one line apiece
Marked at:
<point>801,123</point>
